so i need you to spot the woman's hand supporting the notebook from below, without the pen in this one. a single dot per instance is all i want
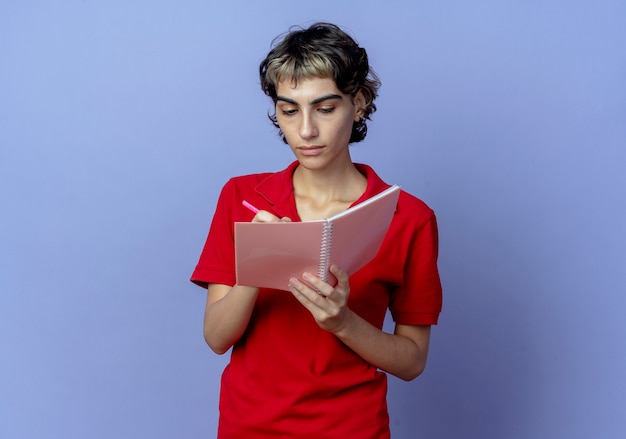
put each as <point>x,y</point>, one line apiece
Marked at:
<point>328,305</point>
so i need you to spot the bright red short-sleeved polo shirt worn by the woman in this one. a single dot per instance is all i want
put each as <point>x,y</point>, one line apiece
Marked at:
<point>286,376</point>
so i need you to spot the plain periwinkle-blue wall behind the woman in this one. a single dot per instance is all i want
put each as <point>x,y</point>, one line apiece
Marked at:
<point>120,121</point>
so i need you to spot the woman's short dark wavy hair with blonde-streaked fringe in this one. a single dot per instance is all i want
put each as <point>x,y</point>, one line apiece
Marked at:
<point>323,51</point>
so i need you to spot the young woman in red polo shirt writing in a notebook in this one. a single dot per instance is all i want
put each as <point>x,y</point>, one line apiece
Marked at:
<point>312,362</point>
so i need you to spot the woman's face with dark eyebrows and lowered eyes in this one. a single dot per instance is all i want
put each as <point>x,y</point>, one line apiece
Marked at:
<point>316,119</point>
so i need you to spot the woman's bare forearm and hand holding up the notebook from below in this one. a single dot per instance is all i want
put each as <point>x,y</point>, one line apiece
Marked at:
<point>402,354</point>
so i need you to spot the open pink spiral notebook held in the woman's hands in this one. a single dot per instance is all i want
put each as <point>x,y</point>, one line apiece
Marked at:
<point>269,254</point>
